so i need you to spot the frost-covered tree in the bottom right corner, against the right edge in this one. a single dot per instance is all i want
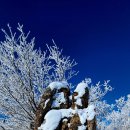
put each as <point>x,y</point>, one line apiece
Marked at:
<point>119,118</point>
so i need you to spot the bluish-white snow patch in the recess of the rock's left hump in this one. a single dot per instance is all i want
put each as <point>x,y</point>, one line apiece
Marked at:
<point>59,99</point>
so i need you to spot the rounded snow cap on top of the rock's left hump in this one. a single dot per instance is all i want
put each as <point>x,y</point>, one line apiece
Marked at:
<point>58,85</point>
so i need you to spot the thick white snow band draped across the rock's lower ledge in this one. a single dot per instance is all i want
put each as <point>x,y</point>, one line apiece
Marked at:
<point>53,117</point>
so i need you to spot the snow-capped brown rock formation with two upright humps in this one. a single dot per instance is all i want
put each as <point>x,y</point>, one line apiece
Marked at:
<point>60,111</point>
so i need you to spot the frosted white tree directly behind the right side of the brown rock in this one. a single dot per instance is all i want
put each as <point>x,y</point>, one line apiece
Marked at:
<point>96,97</point>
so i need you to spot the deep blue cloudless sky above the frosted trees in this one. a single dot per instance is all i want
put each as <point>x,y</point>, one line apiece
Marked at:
<point>95,33</point>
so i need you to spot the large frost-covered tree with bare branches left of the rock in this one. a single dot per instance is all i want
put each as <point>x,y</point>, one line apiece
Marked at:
<point>24,73</point>
